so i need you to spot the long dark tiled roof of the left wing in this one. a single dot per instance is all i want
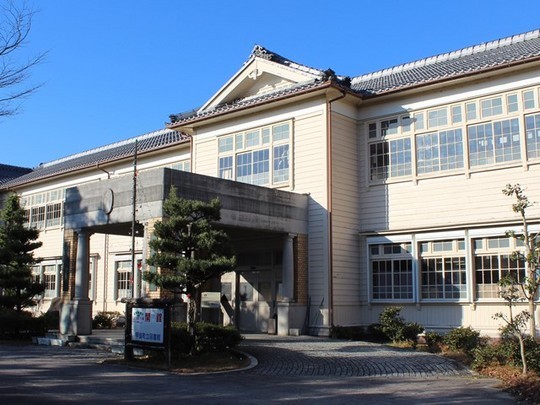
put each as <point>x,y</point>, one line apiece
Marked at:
<point>119,150</point>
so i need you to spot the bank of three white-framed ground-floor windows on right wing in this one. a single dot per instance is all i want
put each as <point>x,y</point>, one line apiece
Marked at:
<point>447,269</point>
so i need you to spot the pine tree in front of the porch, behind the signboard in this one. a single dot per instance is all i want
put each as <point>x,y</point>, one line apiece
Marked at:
<point>188,249</point>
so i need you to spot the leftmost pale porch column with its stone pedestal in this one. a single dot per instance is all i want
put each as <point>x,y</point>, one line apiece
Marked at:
<point>76,315</point>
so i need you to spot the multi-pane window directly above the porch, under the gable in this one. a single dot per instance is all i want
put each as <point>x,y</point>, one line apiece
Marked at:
<point>258,156</point>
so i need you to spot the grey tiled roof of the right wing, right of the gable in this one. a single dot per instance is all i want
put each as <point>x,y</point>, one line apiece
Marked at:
<point>475,59</point>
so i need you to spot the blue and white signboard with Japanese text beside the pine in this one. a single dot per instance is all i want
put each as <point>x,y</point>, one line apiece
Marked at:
<point>147,325</point>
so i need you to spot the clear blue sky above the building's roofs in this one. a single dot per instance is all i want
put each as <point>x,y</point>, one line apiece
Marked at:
<point>117,69</point>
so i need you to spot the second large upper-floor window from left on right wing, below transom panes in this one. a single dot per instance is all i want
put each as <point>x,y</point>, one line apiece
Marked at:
<point>439,151</point>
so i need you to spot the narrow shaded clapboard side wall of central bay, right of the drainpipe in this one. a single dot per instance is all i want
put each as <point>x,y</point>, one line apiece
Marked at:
<point>345,219</point>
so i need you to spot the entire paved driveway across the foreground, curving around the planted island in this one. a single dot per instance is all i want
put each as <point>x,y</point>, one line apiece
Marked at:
<point>303,370</point>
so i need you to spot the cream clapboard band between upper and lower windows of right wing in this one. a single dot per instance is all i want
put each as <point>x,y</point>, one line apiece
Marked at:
<point>447,201</point>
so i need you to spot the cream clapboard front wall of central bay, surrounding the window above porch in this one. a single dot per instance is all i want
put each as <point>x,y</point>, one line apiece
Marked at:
<point>308,159</point>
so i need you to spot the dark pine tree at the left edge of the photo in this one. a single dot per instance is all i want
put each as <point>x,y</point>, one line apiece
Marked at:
<point>18,290</point>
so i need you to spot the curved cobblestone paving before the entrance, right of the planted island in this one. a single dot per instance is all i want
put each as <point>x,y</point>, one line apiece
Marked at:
<point>312,356</point>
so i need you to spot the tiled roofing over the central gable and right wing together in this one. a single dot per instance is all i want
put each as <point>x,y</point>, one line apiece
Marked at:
<point>498,54</point>
